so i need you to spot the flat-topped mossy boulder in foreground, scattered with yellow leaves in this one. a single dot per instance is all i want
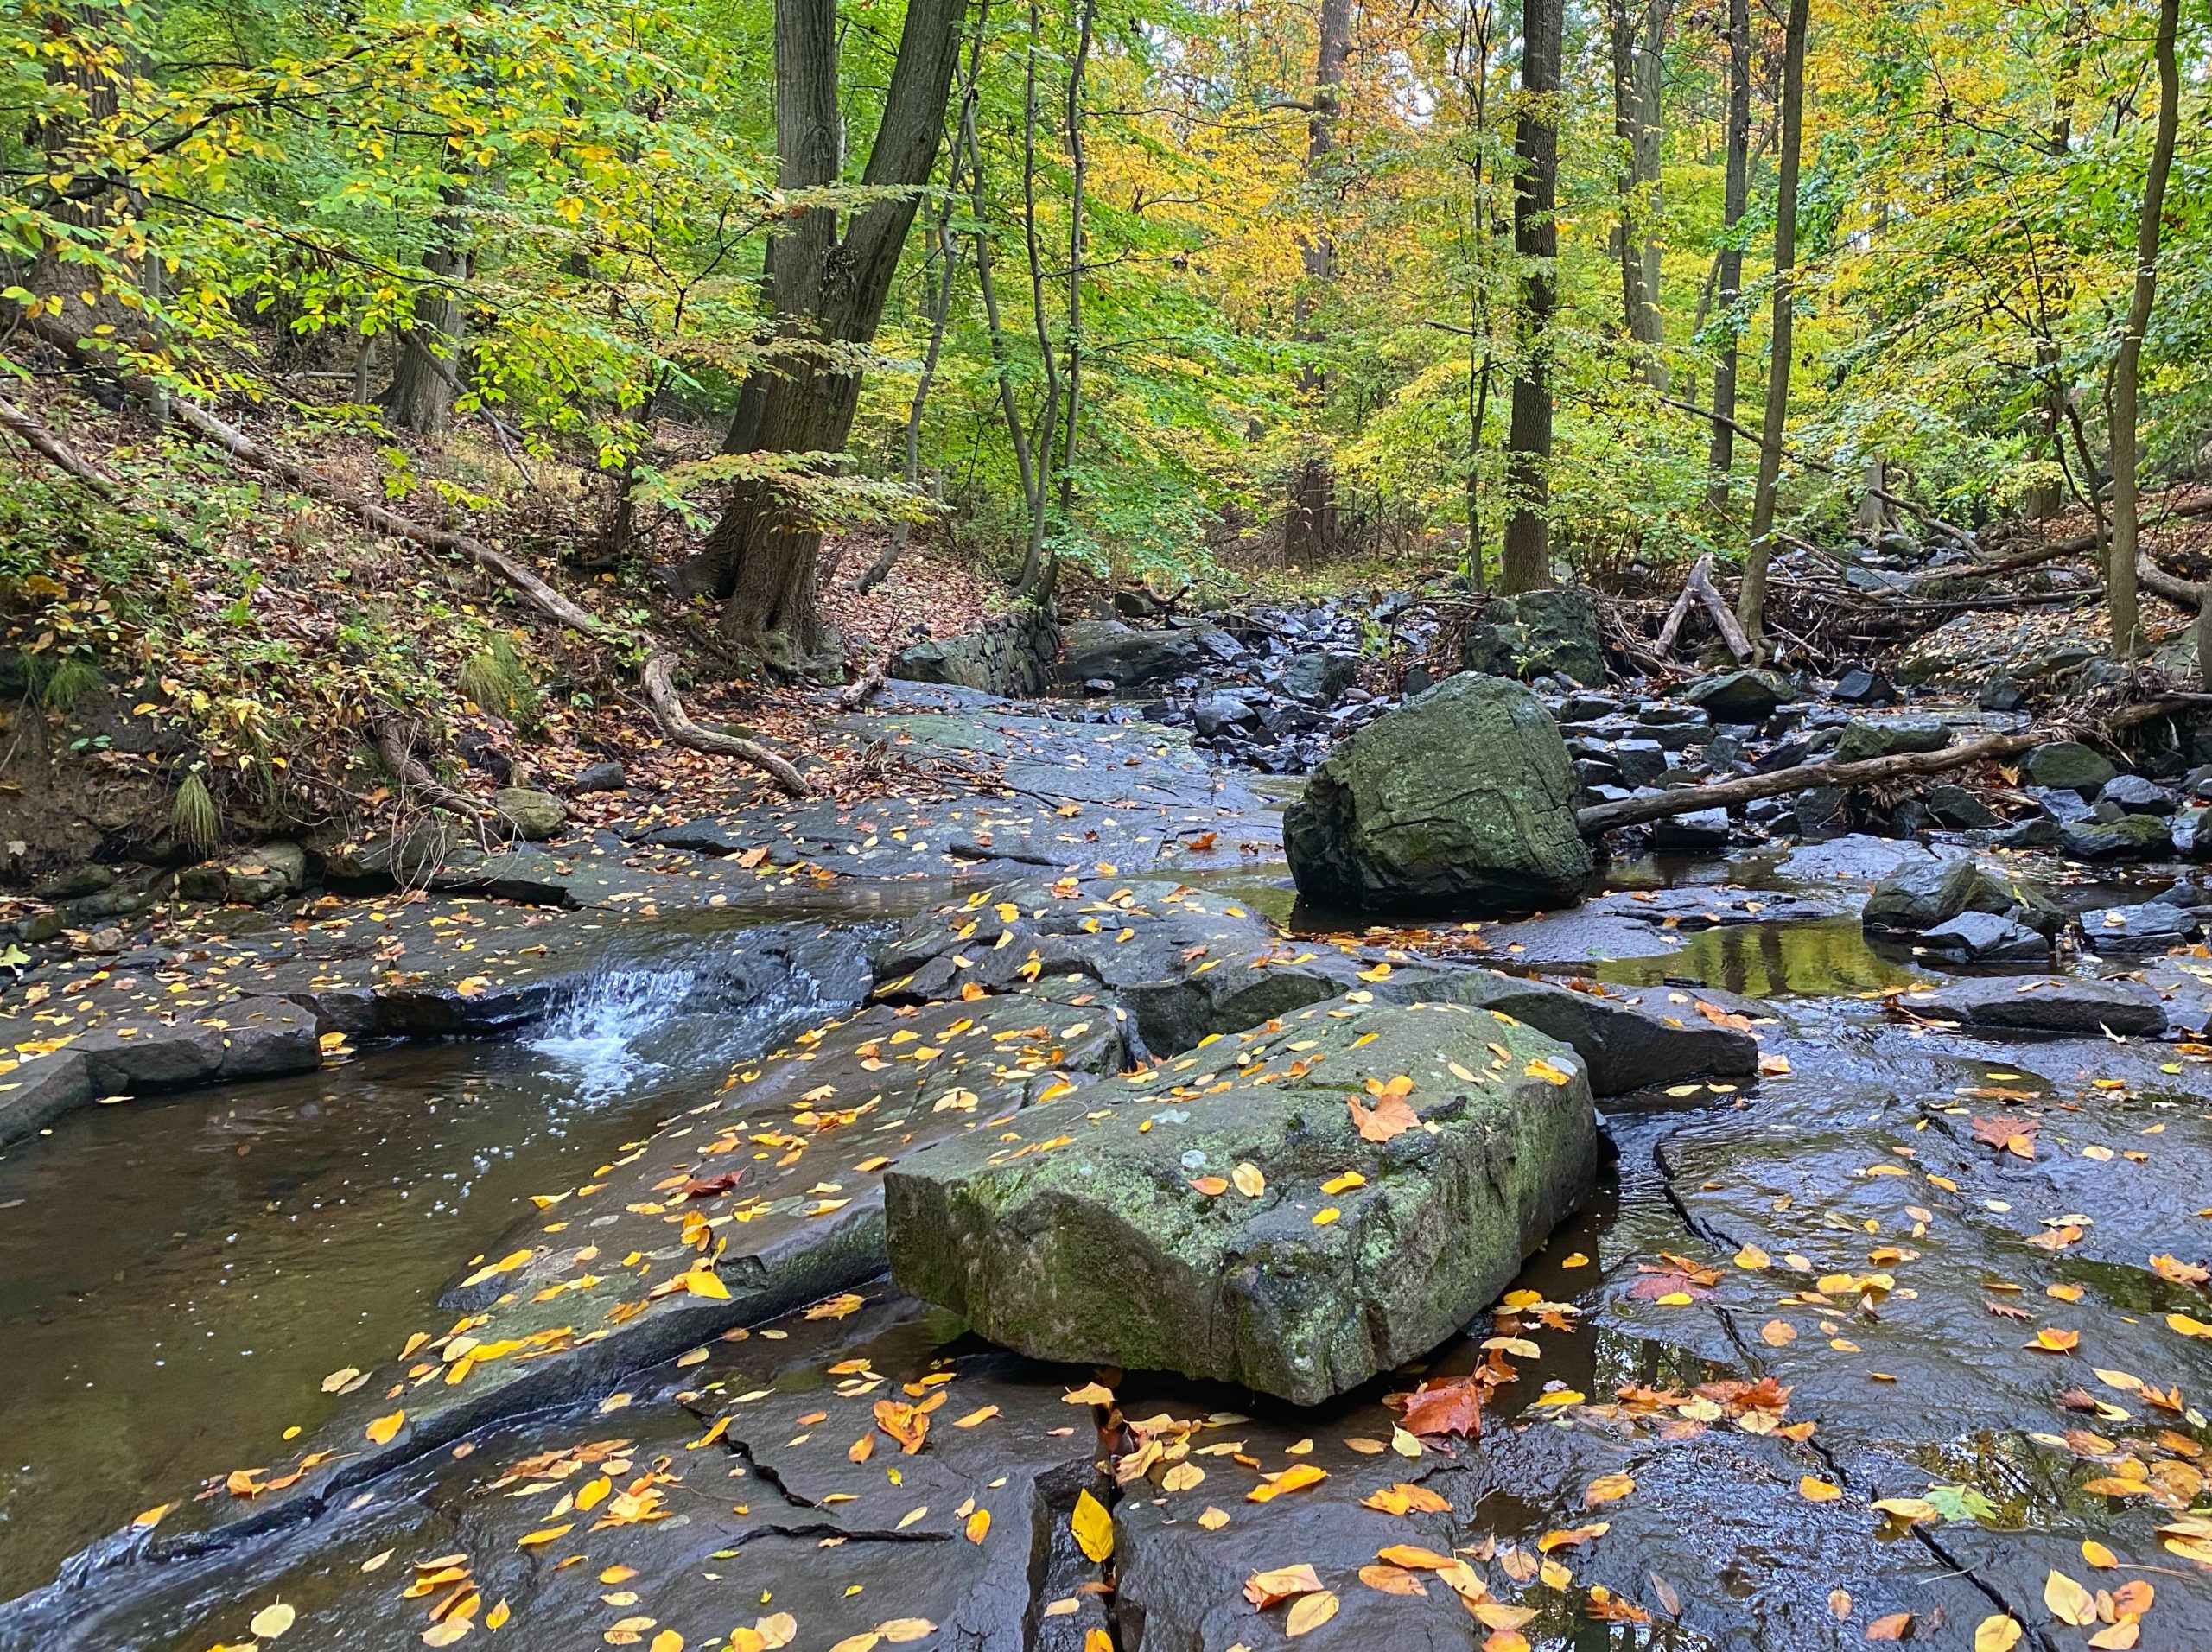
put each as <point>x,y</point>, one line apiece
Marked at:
<point>1227,1217</point>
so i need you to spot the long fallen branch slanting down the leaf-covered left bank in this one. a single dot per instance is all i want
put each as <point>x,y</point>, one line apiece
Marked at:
<point>662,696</point>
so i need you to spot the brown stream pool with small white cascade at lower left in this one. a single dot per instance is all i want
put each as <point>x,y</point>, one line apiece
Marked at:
<point>178,1275</point>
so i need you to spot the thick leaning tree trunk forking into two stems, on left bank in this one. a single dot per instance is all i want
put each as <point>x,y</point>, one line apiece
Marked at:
<point>828,289</point>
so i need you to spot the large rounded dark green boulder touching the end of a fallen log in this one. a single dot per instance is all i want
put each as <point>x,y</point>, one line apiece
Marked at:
<point>1463,799</point>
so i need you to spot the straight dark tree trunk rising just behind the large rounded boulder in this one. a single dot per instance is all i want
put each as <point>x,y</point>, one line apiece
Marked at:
<point>1536,242</point>
